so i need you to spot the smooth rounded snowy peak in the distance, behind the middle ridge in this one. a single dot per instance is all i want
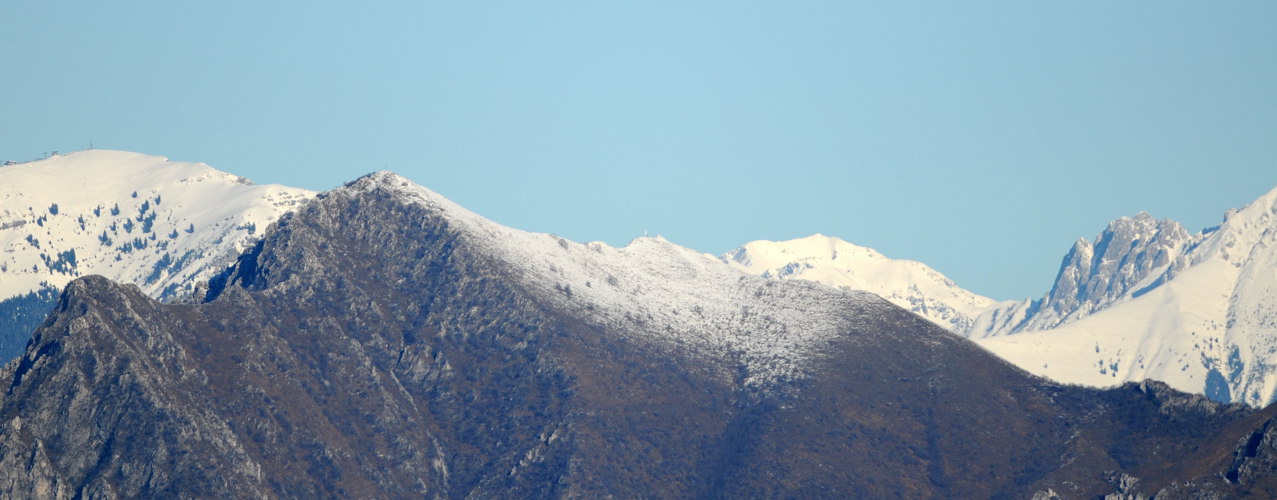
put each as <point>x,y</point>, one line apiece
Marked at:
<point>833,262</point>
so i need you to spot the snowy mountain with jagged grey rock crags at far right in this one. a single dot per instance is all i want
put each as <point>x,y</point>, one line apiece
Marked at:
<point>1149,300</point>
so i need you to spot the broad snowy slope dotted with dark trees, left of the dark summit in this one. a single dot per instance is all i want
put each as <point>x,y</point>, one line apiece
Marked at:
<point>131,217</point>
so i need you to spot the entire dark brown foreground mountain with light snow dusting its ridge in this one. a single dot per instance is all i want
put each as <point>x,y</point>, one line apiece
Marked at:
<point>380,346</point>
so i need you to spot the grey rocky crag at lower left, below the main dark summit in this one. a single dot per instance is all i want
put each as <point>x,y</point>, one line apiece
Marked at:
<point>104,395</point>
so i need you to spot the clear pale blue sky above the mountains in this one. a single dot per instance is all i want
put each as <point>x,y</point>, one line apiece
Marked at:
<point>980,138</point>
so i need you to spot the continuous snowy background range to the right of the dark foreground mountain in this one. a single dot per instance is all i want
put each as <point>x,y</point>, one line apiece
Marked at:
<point>1144,300</point>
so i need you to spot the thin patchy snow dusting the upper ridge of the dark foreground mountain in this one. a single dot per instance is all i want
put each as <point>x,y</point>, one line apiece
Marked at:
<point>676,295</point>
